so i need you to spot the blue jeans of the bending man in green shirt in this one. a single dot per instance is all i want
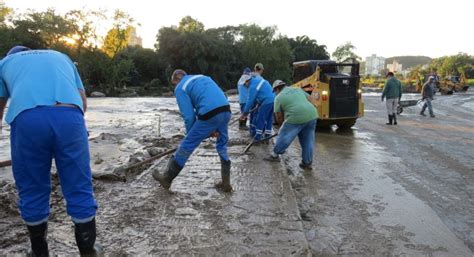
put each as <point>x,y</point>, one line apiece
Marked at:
<point>306,135</point>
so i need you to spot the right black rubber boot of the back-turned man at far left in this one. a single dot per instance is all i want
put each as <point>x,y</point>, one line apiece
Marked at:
<point>85,238</point>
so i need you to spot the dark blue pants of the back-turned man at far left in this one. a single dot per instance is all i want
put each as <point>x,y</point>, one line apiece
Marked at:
<point>37,136</point>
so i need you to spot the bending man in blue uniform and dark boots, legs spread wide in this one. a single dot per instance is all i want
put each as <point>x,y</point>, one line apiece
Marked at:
<point>206,113</point>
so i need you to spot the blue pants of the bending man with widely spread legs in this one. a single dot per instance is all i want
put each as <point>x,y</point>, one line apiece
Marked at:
<point>201,130</point>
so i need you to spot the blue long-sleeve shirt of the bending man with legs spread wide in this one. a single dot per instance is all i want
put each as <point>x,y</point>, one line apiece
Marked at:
<point>198,95</point>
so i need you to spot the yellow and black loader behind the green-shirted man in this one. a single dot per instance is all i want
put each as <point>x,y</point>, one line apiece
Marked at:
<point>334,90</point>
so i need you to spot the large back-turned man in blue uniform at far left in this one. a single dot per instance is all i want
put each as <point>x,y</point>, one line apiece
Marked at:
<point>47,105</point>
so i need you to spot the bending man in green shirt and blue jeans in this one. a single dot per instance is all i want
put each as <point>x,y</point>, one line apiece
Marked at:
<point>292,105</point>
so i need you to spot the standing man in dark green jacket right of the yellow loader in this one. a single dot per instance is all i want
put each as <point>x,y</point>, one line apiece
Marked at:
<point>393,92</point>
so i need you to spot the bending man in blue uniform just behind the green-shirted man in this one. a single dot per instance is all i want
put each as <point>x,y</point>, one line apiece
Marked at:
<point>261,98</point>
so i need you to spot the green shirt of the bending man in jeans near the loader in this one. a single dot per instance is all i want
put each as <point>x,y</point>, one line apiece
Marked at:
<point>293,102</point>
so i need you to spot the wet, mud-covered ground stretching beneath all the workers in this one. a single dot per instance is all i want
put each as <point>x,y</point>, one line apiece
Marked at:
<point>375,190</point>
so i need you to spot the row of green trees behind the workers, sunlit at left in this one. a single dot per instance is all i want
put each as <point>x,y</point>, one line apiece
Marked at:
<point>110,65</point>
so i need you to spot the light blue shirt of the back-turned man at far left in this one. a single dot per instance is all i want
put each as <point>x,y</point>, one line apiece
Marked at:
<point>38,78</point>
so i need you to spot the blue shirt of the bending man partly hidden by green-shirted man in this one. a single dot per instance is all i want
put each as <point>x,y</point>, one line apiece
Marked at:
<point>260,92</point>
